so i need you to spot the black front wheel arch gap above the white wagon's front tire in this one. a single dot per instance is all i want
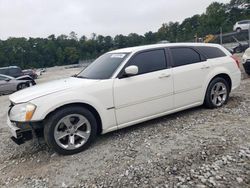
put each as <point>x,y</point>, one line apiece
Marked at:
<point>85,105</point>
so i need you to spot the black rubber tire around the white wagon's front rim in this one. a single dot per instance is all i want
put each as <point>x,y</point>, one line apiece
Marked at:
<point>52,121</point>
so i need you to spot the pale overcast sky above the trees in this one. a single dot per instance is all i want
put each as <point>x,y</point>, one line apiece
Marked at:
<point>40,18</point>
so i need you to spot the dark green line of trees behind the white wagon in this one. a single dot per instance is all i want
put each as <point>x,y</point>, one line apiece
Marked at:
<point>69,49</point>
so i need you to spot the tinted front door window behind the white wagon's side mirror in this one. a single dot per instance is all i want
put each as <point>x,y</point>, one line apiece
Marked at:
<point>149,61</point>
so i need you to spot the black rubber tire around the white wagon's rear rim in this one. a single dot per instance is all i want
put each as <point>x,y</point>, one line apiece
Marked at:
<point>208,102</point>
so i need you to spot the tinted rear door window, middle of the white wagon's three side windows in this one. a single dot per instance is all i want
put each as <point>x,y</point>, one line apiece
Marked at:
<point>184,56</point>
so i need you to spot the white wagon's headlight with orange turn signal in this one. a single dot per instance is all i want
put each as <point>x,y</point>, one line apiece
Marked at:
<point>22,112</point>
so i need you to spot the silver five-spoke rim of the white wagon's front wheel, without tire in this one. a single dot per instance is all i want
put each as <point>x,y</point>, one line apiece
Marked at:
<point>72,131</point>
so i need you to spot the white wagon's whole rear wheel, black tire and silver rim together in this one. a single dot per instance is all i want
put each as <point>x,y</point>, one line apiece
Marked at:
<point>217,93</point>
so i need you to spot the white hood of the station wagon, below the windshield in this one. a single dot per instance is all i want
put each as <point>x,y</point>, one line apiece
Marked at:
<point>44,89</point>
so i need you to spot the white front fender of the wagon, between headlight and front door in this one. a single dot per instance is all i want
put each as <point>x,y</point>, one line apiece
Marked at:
<point>57,100</point>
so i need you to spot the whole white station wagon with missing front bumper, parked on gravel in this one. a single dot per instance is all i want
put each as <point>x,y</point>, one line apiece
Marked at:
<point>122,88</point>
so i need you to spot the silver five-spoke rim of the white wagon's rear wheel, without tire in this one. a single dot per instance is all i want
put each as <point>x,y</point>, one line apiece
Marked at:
<point>219,94</point>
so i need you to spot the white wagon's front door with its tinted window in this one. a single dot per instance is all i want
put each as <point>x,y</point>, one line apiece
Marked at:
<point>146,94</point>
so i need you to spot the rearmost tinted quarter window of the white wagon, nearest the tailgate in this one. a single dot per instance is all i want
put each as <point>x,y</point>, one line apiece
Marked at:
<point>211,52</point>
